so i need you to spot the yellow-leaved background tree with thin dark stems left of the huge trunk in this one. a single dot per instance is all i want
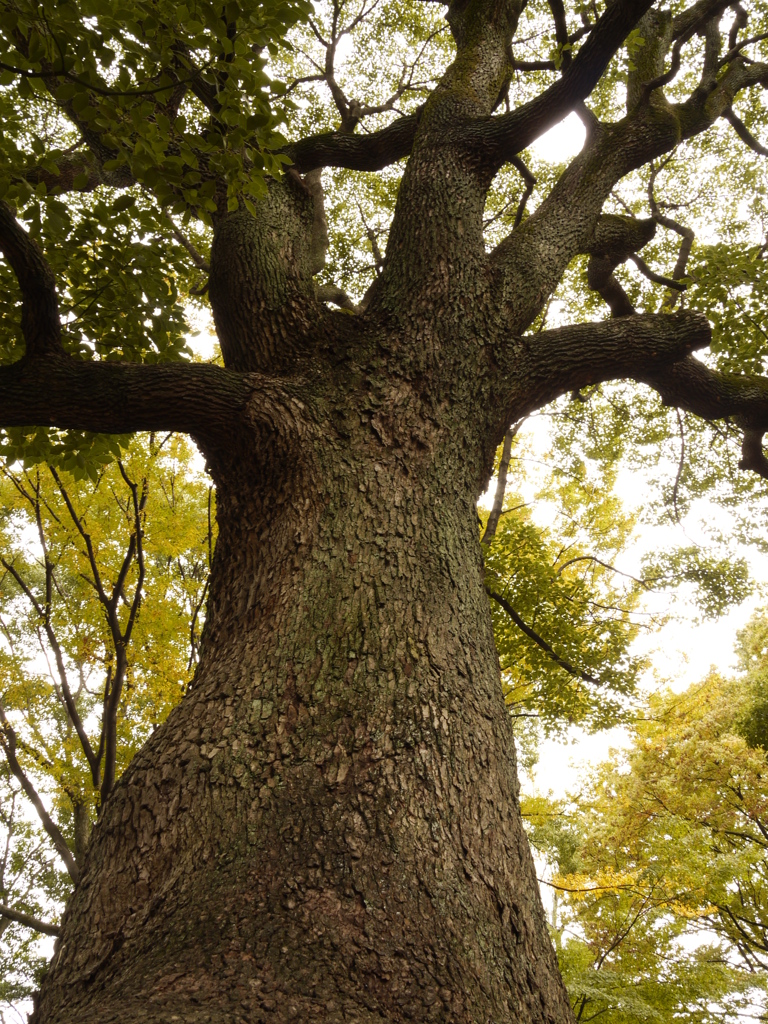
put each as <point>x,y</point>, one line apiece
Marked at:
<point>101,609</point>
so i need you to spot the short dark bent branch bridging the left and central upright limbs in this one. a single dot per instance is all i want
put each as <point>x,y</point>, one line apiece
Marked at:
<point>358,153</point>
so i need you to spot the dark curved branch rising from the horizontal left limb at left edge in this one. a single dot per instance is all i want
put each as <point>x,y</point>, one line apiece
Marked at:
<point>40,323</point>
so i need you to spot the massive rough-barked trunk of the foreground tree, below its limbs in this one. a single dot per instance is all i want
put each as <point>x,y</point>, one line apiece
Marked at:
<point>328,827</point>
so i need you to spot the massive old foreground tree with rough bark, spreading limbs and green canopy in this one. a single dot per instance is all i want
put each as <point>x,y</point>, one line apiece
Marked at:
<point>328,825</point>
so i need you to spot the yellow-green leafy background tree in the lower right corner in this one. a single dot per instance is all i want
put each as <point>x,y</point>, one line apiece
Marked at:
<point>660,862</point>
